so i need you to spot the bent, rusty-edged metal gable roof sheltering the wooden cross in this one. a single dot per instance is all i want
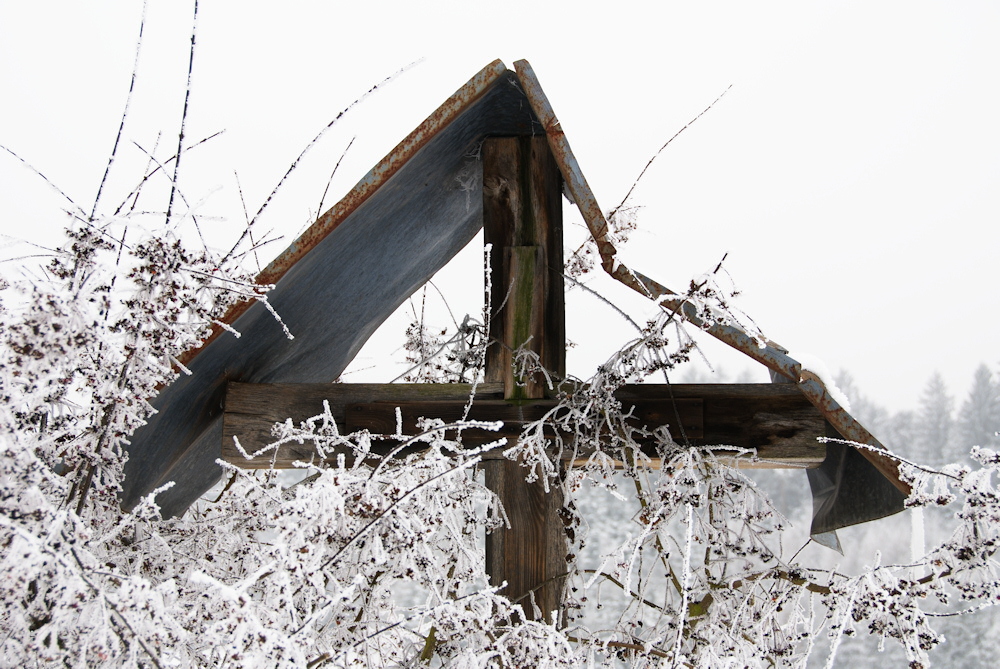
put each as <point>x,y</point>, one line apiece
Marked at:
<point>351,269</point>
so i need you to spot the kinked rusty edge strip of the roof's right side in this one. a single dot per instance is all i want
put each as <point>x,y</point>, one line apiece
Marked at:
<point>772,355</point>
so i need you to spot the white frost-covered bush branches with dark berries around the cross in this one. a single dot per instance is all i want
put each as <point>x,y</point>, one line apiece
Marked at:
<point>377,560</point>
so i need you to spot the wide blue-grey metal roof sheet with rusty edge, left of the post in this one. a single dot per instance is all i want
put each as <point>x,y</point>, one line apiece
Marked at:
<point>335,285</point>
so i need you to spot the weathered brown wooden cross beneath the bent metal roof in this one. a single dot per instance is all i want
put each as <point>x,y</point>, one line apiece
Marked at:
<point>522,218</point>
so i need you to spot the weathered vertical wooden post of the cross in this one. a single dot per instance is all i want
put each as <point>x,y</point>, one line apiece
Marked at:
<point>522,219</point>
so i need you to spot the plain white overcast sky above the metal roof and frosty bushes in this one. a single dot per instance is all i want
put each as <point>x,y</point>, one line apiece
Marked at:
<point>850,173</point>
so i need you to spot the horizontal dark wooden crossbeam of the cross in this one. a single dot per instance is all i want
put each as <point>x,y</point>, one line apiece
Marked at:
<point>774,419</point>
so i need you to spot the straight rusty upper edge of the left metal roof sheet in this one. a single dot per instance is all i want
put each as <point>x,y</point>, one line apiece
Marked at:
<point>371,182</point>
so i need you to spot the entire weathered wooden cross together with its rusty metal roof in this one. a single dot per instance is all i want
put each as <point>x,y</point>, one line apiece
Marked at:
<point>400,224</point>
